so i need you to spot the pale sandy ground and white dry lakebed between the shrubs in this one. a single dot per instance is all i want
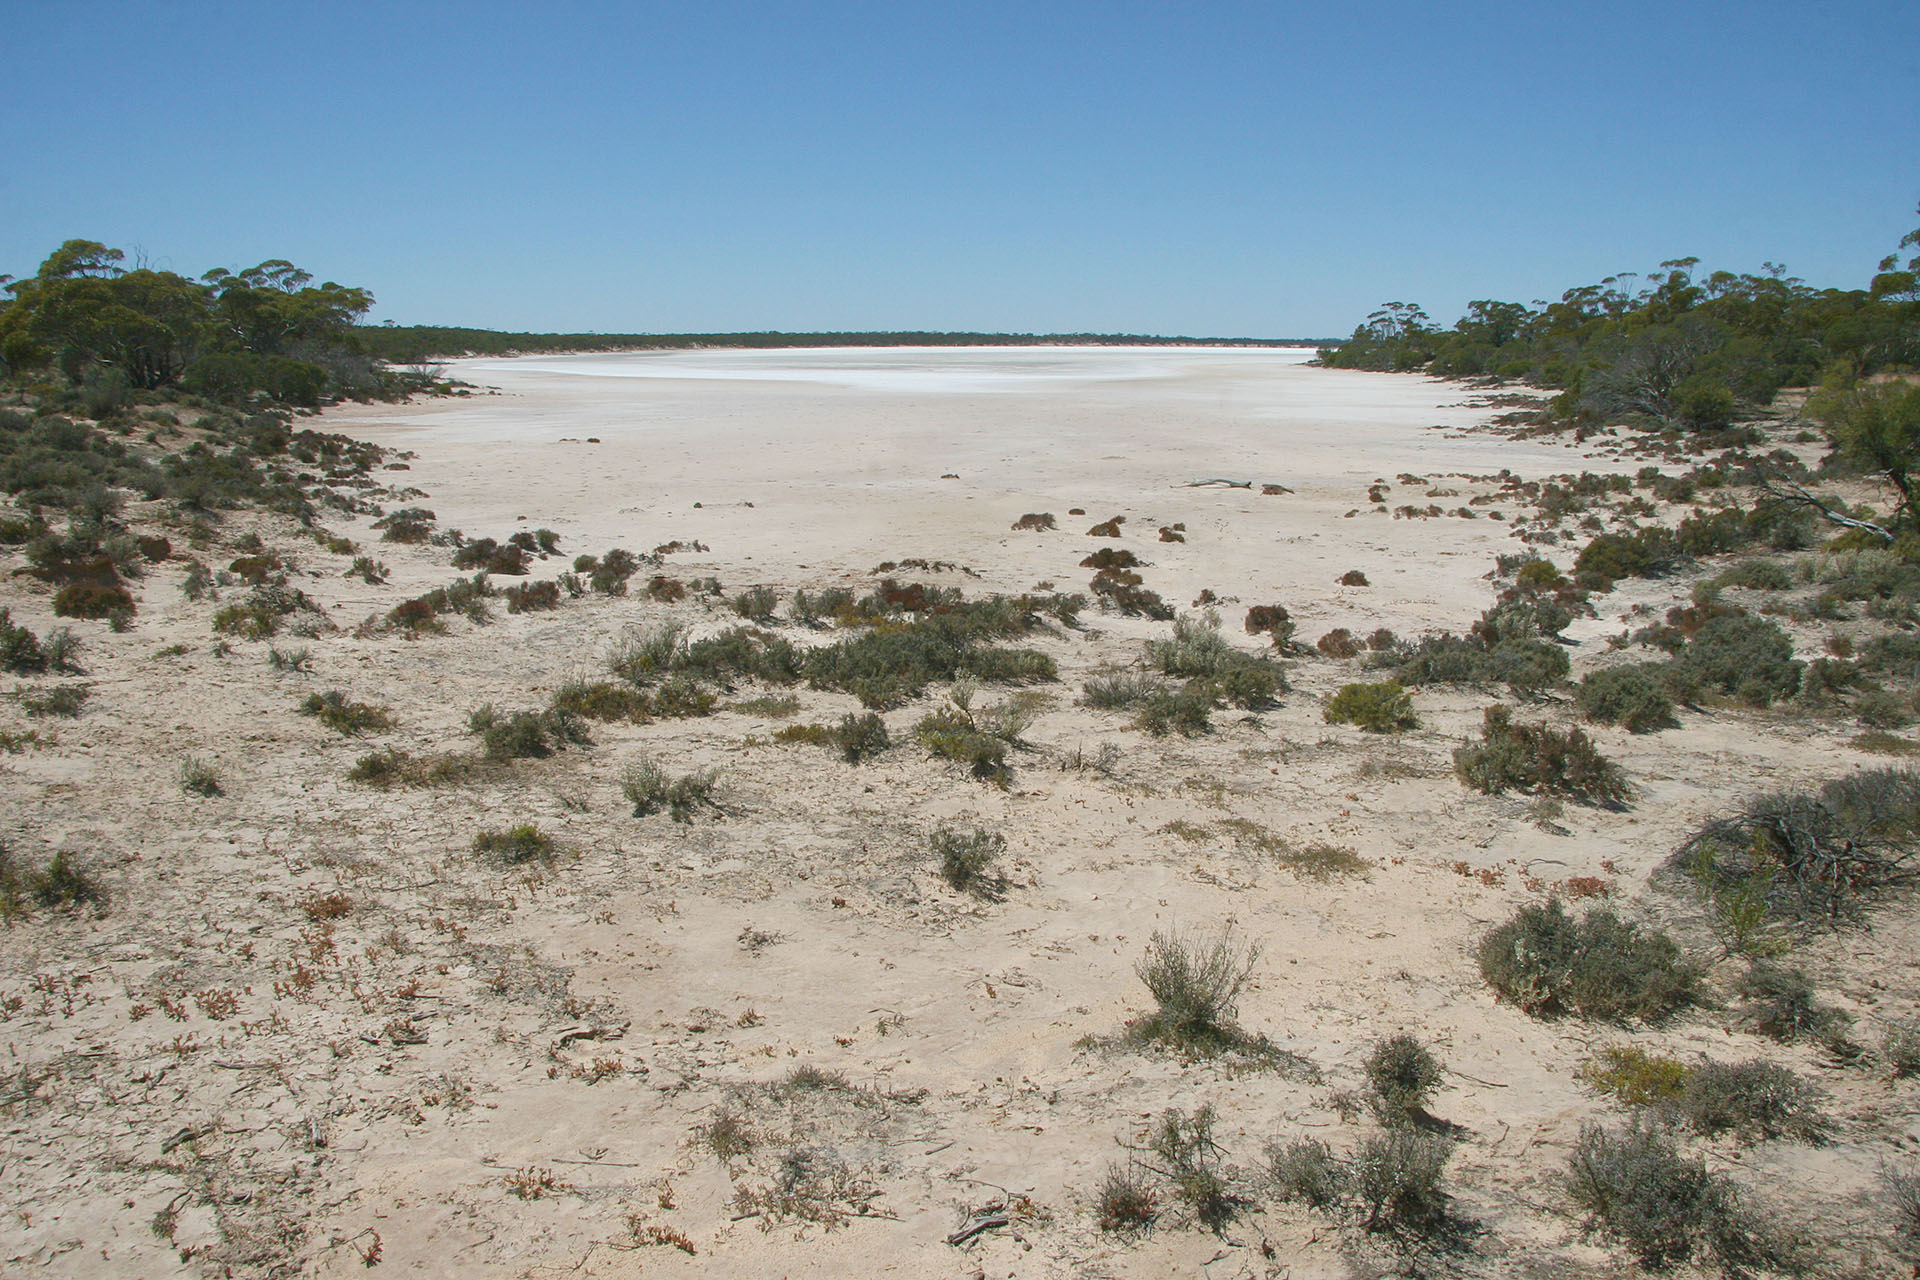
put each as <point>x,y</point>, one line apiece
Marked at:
<point>318,1127</point>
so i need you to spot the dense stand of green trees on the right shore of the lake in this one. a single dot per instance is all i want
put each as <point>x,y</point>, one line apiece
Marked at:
<point>1668,350</point>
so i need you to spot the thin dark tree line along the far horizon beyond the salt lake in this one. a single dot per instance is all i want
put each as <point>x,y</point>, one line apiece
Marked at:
<point>414,344</point>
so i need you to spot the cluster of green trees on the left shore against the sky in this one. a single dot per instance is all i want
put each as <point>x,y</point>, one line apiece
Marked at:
<point>264,333</point>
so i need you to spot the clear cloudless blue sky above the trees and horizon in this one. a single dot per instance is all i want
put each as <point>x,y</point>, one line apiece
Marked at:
<point>1224,170</point>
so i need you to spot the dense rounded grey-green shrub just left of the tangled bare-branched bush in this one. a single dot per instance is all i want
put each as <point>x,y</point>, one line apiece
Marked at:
<point>1598,966</point>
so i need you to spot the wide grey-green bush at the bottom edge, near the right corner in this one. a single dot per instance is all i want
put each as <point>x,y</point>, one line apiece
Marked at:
<point>1666,1208</point>
